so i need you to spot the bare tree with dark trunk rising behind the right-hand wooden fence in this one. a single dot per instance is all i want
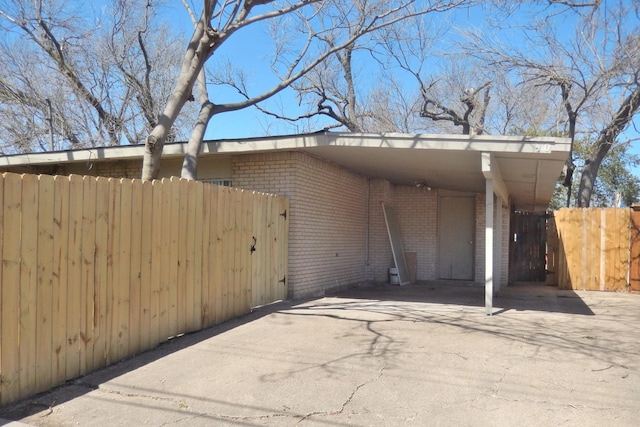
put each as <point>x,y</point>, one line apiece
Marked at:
<point>595,74</point>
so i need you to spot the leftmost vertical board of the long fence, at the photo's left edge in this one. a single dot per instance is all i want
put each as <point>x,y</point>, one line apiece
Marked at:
<point>10,298</point>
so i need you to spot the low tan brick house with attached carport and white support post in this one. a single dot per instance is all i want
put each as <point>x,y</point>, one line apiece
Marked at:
<point>443,189</point>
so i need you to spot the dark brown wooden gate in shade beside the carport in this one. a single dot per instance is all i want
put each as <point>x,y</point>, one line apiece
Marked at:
<point>528,247</point>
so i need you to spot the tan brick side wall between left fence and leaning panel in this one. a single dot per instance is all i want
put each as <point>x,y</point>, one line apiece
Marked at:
<point>328,228</point>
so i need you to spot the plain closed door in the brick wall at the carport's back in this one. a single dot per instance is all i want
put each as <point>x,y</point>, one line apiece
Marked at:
<point>456,234</point>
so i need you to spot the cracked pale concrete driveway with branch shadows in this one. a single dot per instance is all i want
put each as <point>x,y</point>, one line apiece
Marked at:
<point>421,355</point>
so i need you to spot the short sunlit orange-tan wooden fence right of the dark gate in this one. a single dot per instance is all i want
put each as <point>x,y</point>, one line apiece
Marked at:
<point>594,249</point>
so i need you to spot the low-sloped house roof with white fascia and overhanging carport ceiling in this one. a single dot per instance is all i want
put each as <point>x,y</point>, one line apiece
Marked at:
<point>528,167</point>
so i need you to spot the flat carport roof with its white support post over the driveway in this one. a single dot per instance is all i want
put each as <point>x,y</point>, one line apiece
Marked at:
<point>517,173</point>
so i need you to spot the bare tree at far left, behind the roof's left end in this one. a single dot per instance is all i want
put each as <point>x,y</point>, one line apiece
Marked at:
<point>94,77</point>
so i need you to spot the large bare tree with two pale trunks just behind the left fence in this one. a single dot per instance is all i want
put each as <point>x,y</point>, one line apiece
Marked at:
<point>323,29</point>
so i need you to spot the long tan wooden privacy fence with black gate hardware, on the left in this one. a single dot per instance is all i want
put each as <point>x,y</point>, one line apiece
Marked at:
<point>97,269</point>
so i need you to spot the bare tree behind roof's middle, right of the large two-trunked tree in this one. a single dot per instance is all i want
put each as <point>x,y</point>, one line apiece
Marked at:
<point>336,93</point>
